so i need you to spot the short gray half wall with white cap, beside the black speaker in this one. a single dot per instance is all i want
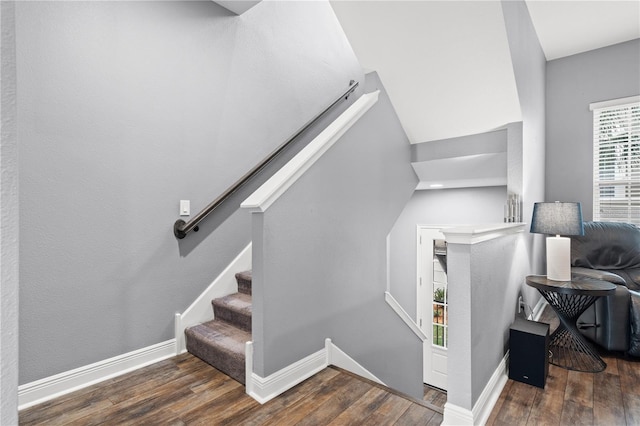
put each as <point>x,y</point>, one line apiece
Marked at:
<point>482,304</point>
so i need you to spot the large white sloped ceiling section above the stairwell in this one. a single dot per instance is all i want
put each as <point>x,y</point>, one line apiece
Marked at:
<point>445,65</point>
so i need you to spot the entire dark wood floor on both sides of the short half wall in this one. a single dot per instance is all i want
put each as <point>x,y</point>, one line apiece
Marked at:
<point>186,391</point>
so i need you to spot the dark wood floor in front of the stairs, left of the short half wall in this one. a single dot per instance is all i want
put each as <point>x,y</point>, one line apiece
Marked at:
<point>186,391</point>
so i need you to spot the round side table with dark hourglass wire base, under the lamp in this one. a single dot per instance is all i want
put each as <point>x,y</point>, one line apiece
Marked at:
<point>569,299</point>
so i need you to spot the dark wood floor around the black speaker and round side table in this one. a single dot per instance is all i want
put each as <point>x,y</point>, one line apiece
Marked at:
<point>611,397</point>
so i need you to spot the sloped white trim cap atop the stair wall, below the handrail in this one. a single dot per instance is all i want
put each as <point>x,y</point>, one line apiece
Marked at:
<point>273,188</point>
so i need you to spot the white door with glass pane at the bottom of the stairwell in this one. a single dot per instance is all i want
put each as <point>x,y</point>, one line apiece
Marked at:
<point>432,304</point>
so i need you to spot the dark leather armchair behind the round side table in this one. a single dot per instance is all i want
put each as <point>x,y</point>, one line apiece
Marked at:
<point>611,252</point>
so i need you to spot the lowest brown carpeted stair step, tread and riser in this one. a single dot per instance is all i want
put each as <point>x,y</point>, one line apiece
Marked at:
<point>221,345</point>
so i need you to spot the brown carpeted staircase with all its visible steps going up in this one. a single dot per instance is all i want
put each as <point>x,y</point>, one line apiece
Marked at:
<point>221,342</point>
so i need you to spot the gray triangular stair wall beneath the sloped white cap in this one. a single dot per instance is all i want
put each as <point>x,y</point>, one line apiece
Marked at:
<point>320,256</point>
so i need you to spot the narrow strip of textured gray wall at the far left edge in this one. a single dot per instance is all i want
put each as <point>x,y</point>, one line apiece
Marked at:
<point>9,220</point>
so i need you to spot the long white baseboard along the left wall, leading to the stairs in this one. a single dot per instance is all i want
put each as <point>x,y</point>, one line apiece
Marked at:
<point>51,387</point>
